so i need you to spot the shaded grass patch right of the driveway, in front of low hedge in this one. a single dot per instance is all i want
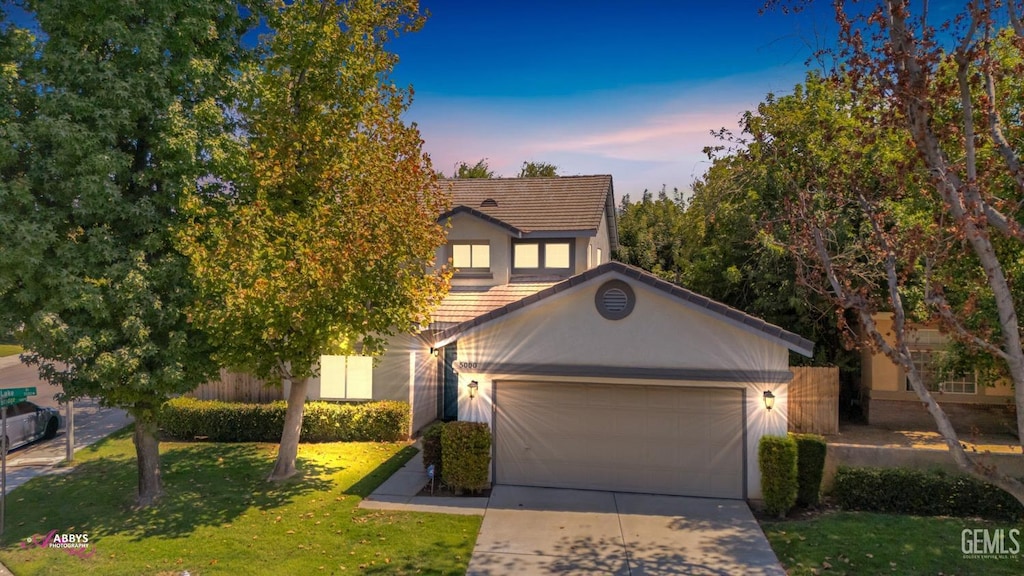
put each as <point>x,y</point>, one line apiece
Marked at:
<point>875,544</point>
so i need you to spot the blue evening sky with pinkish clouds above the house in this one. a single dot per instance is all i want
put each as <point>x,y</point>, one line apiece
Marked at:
<point>627,89</point>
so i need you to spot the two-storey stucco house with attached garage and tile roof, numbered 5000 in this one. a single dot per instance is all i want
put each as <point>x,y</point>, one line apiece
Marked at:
<point>592,375</point>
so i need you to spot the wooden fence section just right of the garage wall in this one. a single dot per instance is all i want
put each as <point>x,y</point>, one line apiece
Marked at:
<point>814,400</point>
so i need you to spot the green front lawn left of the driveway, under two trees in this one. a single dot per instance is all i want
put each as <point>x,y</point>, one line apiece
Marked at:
<point>219,516</point>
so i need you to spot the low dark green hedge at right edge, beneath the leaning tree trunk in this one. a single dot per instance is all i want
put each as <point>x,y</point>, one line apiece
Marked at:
<point>922,493</point>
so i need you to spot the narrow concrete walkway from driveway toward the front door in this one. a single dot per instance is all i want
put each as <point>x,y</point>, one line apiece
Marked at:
<point>401,493</point>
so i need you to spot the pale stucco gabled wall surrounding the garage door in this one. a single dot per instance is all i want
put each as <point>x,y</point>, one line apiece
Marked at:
<point>567,330</point>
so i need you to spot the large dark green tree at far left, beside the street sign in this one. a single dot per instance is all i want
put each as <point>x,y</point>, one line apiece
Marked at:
<point>107,119</point>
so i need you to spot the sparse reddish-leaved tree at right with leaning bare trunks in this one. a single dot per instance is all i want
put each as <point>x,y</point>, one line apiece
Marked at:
<point>933,232</point>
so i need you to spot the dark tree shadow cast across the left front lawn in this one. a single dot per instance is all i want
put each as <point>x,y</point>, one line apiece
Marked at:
<point>204,485</point>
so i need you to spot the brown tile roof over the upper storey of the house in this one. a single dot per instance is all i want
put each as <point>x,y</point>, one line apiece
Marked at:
<point>538,205</point>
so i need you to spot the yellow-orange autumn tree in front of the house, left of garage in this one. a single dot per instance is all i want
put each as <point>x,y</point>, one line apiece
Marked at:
<point>325,242</point>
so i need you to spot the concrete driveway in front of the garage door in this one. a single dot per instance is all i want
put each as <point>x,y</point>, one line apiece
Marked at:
<point>554,531</point>
